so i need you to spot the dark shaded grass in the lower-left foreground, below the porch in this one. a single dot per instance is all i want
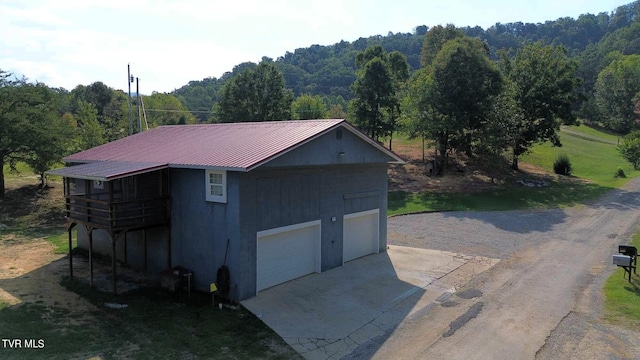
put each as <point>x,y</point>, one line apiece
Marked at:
<point>154,325</point>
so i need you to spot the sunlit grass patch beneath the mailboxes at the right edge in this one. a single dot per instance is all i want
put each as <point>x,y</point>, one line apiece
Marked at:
<point>622,299</point>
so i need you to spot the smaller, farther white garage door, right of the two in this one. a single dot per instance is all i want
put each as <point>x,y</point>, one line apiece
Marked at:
<point>360,234</point>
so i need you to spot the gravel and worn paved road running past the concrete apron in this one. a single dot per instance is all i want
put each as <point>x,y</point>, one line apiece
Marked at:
<point>541,301</point>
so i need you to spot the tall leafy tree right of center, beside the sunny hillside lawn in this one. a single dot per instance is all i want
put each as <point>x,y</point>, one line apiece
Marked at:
<point>545,91</point>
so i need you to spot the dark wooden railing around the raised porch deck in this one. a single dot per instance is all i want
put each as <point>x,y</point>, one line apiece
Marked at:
<point>118,215</point>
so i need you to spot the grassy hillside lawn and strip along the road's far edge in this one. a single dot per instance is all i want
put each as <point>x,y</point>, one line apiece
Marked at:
<point>593,157</point>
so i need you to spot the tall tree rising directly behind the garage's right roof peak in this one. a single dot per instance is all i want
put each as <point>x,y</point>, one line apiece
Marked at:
<point>379,81</point>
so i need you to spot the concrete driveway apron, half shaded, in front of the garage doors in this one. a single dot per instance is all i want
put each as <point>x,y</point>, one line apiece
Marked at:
<point>329,315</point>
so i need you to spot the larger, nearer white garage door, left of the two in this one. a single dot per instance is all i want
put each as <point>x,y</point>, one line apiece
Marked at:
<point>287,253</point>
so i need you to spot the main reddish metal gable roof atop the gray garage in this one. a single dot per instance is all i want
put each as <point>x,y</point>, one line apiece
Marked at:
<point>233,146</point>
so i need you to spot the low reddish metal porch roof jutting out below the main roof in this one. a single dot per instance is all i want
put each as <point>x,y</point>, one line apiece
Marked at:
<point>106,170</point>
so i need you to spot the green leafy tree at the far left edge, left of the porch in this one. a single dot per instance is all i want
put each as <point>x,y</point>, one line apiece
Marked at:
<point>30,128</point>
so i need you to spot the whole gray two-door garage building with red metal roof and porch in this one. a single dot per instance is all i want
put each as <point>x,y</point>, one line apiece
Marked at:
<point>271,201</point>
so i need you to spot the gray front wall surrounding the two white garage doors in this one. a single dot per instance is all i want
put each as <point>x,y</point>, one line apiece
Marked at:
<point>275,198</point>
